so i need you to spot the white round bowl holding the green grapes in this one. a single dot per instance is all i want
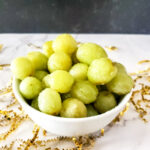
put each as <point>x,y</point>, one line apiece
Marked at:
<point>69,126</point>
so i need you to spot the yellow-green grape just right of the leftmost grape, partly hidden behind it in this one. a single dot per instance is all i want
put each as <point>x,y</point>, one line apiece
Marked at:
<point>38,60</point>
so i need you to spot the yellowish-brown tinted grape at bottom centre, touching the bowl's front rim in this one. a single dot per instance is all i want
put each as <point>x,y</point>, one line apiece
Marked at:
<point>73,108</point>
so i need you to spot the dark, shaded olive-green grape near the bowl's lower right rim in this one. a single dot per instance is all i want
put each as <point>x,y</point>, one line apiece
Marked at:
<point>105,101</point>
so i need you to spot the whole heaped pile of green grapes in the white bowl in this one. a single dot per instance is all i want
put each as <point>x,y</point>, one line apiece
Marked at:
<point>71,80</point>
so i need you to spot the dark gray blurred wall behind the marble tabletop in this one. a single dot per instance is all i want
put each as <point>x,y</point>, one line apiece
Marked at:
<point>76,16</point>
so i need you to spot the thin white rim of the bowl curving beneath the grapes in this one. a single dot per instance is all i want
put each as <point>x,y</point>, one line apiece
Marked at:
<point>22,101</point>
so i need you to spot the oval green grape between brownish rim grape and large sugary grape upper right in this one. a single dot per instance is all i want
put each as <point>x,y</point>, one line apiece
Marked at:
<point>84,91</point>
